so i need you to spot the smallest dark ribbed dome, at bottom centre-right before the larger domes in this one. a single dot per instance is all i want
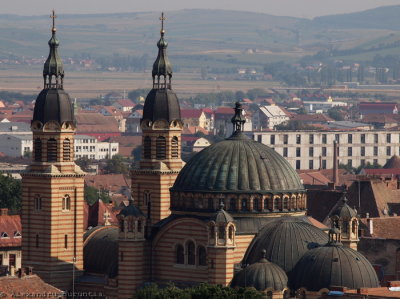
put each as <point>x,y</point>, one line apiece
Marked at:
<point>261,275</point>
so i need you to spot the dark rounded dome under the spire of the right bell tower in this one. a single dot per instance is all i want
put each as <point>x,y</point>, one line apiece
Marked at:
<point>161,104</point>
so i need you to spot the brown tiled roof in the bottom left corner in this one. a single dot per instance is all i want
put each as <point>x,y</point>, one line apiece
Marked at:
<point>10,286</point>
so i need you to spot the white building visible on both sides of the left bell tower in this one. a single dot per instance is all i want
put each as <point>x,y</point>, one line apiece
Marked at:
<point>85,146</point>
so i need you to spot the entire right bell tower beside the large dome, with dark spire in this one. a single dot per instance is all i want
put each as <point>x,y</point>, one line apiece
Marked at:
<point>161,141</point>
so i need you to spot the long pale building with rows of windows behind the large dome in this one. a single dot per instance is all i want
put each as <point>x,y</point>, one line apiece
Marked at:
<point>314,149</point>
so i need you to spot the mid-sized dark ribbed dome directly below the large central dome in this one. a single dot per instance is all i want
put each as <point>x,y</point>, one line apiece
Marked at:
<point>285,240</point>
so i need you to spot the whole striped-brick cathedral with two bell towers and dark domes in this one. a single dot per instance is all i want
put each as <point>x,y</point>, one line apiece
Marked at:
<point>235,214</point>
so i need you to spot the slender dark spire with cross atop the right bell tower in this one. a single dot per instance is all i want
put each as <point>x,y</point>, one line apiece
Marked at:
<point>162,67</point>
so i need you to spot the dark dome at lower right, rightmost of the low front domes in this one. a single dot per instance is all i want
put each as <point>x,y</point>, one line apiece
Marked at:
<point>333,265</point>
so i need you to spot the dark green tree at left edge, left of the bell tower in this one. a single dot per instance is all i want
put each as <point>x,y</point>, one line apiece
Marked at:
<point>10,193</point>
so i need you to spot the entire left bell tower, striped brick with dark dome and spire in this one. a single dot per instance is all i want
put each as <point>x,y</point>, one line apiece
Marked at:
<point>52,198</point>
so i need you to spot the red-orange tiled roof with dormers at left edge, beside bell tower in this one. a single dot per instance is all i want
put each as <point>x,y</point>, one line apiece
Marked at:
<point>10,225</point>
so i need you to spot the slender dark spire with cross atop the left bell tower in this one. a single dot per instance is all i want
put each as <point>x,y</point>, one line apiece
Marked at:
<point>53,67</point>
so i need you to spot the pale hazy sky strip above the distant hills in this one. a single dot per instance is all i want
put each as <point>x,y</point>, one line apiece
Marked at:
<point>299,8</point>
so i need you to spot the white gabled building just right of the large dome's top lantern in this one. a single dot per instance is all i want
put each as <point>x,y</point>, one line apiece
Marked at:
<point>267,117</point>
